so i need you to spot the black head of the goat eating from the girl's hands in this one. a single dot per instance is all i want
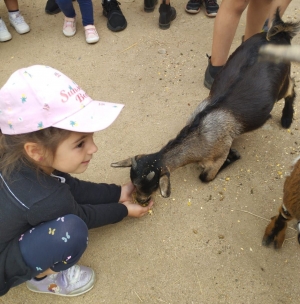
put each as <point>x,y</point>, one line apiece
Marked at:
<point>147,174</point>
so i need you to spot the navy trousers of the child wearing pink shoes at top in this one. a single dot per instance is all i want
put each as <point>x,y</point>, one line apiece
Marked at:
<point>86,9</point>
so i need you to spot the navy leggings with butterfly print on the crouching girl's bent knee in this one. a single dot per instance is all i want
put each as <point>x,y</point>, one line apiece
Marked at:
<point>56,244</point>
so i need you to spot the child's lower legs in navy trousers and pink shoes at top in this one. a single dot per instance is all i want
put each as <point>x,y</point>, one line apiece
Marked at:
<point>87,13</point>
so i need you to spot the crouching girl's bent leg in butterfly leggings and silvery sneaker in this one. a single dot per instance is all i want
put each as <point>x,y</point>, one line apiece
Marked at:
<point>51,250</point>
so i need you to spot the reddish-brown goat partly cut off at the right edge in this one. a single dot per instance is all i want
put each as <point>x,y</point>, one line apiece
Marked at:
<point>275,231</point>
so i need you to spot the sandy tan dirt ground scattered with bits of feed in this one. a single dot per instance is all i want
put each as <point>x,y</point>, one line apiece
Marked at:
<point>203,244</point>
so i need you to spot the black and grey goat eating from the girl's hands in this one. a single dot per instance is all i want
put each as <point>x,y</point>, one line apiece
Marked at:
<point>241,99</point>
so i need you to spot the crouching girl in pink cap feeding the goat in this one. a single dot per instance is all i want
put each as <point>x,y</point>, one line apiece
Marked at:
<point>47,123</point>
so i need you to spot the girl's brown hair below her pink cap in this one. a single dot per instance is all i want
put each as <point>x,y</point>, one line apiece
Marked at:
<point>13,155</point>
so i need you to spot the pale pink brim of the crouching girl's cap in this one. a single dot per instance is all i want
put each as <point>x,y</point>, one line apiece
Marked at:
<point>95,116</point>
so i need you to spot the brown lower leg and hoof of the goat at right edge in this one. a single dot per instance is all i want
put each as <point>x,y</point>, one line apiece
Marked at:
<point>275,231</point>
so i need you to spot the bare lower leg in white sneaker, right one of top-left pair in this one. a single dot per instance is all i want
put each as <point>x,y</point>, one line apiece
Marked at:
<point>15,17</point>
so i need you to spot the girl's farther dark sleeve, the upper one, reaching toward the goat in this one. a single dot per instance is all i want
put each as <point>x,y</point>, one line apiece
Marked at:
<point>85,192</point>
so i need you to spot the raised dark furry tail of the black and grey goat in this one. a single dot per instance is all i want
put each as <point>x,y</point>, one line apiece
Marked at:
<point>278,26</point>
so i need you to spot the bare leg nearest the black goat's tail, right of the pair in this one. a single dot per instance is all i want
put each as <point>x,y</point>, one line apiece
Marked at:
<point>257,13</point>
